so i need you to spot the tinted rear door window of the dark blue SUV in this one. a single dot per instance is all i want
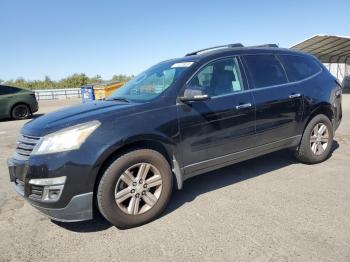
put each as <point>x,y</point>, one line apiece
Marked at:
<point>265,70</point>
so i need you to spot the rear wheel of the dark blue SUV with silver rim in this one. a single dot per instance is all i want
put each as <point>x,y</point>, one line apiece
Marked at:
<point>306,150</point>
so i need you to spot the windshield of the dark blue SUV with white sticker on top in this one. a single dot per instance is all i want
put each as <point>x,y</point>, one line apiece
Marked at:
<point>151,83</point>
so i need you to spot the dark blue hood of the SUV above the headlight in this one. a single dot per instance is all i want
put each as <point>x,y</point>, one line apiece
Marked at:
<point>98,110</point>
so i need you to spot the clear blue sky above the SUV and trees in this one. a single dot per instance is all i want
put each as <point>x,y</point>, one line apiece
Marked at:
<point>57,38</point>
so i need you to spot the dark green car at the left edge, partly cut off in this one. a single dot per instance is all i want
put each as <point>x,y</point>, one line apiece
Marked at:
<point>17,103</point>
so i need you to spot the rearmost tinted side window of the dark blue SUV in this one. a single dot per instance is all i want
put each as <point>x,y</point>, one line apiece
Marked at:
<point>298,67</point>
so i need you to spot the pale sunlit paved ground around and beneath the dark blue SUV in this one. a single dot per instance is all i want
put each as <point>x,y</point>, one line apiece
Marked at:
<point>267,209</point>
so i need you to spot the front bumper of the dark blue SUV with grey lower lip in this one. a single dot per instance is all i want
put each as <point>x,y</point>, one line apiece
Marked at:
<point>75,201</point>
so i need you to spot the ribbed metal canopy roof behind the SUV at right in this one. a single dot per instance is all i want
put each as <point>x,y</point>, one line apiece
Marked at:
<point>327,48</point>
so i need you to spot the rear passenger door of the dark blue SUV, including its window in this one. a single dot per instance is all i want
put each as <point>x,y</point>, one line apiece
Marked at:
<point>279,103</point>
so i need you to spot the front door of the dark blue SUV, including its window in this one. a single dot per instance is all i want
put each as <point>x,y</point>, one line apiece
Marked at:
<point>212,131</point>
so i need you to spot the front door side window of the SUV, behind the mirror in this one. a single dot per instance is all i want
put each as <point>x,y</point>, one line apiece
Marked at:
<point>219,78</point>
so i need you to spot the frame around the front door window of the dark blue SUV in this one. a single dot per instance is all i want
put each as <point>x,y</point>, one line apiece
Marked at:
<point>246,85</point>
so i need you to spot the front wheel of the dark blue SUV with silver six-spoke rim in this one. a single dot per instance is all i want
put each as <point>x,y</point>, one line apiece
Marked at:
<point>112,185</point>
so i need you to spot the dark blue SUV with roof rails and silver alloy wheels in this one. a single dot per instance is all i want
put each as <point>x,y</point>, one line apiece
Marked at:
<point>180,118</point>
